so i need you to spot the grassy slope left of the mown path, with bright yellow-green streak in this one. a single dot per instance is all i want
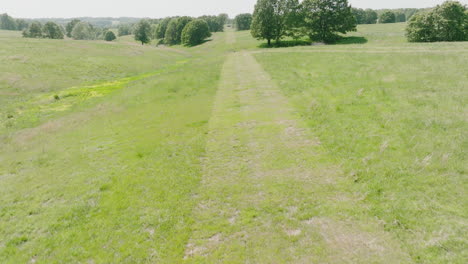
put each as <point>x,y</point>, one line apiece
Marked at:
<point>111,177</point>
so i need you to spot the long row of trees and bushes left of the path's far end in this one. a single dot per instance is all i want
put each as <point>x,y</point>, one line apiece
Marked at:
<point>171,31</point>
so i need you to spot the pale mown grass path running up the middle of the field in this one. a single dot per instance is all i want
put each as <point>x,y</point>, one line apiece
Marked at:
<point>264,198</point>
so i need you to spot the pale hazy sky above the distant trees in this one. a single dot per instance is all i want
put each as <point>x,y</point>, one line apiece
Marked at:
<point>162,8</point>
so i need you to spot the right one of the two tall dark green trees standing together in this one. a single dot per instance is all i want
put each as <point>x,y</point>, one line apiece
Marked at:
<point>324,19</point>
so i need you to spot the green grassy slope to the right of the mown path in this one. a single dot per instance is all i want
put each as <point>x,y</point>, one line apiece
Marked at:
<point>394,117</point>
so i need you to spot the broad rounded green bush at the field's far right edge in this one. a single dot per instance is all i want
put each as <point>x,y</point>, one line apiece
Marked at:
<point>447,22</point>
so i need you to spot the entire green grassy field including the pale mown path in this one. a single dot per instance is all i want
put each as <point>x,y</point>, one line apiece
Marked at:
<point>229,152</point>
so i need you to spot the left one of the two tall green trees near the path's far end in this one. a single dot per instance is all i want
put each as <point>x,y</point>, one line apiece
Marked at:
<point>273,18</point>
